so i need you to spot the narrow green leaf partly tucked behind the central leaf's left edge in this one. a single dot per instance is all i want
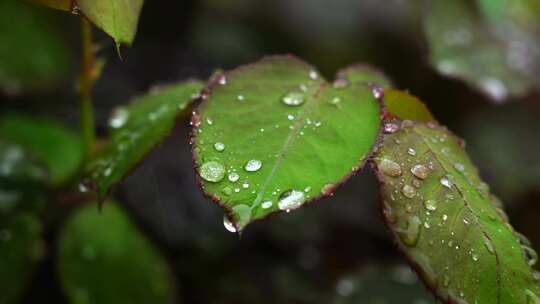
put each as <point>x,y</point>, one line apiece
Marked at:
<point>135,130</point>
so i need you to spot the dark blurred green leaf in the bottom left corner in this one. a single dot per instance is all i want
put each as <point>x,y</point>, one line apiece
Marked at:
<point>21,248</point>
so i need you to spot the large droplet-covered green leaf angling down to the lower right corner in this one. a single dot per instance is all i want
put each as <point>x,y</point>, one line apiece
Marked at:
<point>448,224</point>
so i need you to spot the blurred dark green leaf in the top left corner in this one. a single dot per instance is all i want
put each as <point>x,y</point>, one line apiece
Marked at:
<point>32,54</point>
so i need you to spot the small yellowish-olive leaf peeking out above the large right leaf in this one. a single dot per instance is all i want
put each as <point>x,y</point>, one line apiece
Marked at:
<point>405,106</point>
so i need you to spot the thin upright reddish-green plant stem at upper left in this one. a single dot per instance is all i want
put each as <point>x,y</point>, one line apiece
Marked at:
<point>85,86</point>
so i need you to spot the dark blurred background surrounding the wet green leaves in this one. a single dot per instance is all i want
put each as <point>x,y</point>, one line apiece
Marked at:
<point>316,254</point>
